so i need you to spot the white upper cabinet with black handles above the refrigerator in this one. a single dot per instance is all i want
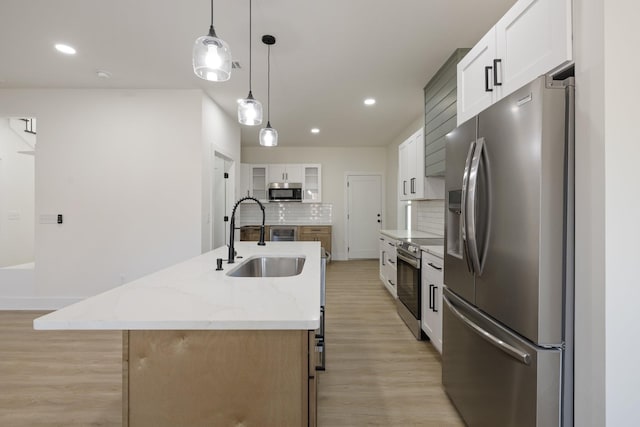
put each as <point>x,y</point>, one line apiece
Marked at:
<point>533,38</point>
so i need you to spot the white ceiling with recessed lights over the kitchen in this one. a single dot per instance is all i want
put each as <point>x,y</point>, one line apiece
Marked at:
<point>329,55</point>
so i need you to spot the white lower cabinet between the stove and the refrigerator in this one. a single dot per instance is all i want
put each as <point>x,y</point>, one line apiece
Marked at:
<point>432,282</point>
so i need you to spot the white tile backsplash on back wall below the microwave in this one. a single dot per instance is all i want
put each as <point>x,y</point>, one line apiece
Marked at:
<point>287,213</point>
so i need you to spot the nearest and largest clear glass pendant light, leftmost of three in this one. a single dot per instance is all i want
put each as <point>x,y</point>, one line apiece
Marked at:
<point>211,56</point>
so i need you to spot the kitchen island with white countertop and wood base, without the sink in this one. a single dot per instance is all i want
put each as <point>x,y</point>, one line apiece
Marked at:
<point>201,347</point>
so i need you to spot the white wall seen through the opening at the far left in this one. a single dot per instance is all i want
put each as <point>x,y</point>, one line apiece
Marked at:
<point>17,194</point>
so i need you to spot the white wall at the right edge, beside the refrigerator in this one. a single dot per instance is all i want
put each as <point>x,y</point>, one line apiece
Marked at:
<point>607,212</point>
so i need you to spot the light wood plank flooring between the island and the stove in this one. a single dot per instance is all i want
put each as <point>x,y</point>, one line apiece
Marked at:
<point>377,372</point>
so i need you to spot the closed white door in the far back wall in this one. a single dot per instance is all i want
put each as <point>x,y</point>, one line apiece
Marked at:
<point>364,215</point>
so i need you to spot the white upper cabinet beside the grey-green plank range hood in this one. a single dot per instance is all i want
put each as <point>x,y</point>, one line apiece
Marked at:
<point>412,183</point>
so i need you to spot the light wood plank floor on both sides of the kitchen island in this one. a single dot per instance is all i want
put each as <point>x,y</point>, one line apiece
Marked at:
<point>377,373</point>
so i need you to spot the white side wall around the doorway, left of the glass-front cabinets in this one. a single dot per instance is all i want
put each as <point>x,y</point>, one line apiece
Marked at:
<point>221,134</point>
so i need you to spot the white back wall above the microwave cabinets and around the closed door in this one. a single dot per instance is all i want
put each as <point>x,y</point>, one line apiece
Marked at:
<point>335,162</point>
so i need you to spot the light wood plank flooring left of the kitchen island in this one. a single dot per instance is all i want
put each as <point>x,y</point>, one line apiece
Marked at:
<point>58,378</point>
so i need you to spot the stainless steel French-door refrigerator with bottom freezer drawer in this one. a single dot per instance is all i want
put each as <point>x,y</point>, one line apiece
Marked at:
<point>508,298</point>
